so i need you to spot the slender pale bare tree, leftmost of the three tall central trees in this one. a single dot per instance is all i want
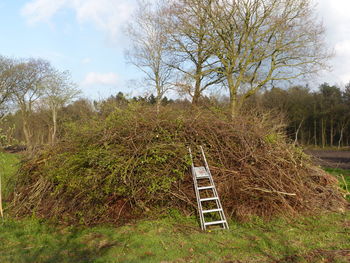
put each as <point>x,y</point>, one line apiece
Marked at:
<point>148,50</point>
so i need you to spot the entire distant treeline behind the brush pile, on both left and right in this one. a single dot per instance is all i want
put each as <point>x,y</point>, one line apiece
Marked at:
<point>320,118</point>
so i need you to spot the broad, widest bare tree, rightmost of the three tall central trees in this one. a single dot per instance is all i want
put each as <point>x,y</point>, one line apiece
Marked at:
<point>260,41</point>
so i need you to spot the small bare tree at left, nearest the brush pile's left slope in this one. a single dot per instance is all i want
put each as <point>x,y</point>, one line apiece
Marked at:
<point>58,91</point>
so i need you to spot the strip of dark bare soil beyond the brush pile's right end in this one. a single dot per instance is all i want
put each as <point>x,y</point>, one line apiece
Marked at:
<point>331,159</point>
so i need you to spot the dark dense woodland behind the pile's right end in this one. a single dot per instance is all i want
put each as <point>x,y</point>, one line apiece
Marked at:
<point>320,118</point>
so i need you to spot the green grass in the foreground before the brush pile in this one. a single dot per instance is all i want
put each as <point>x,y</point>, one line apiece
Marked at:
<point>323,238</point>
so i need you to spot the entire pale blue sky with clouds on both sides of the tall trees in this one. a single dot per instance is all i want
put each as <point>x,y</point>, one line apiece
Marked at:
<point>86,37</point>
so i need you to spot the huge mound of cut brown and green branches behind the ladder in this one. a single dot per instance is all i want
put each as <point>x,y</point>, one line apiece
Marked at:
<point>136,162</point>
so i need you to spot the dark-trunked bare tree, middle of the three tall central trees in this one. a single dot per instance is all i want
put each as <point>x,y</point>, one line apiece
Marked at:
<point>189,42</point>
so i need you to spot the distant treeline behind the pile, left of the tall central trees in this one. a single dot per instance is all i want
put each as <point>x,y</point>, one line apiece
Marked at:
<point>81,110</point>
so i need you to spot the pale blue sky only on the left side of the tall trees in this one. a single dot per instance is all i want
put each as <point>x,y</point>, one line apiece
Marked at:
<point>92,52</point>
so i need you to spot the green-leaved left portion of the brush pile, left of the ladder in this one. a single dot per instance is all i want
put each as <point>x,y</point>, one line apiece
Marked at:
<point>100,165</point>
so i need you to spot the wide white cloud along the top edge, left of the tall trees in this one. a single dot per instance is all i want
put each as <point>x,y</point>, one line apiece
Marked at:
<point>105,15</point>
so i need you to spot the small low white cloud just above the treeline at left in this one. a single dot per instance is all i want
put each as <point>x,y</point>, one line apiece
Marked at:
<point>94,79</point>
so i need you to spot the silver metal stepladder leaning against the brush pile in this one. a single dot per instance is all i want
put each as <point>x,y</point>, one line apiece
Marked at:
<point>209,205</point>
